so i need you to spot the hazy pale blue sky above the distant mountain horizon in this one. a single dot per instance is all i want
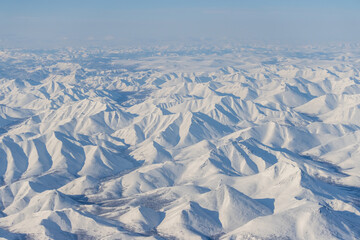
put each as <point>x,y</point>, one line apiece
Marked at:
<point>52,23</point>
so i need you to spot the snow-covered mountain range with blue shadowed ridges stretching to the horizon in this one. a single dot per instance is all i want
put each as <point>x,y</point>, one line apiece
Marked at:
<point>187,143</point>
